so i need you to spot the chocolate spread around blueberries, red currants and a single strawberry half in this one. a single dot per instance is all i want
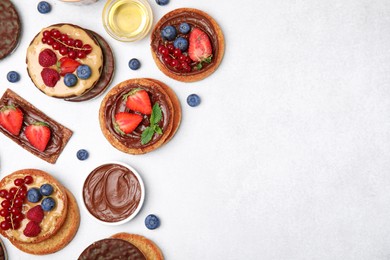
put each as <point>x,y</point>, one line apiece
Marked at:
<point>194,20</point>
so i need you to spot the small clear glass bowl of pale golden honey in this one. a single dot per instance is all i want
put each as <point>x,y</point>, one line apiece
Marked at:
<point>127,20</point>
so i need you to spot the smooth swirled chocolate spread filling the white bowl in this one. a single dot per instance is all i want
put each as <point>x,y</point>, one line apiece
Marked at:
<point>112,192</point>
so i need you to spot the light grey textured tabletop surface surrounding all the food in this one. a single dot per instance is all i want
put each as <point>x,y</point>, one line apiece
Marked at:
<point>286,158</point>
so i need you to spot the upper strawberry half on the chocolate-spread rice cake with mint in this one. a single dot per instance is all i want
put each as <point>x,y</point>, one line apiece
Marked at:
<point>138,100</point>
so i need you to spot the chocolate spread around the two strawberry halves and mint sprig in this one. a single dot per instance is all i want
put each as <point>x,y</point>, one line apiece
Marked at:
<point>116,104</point>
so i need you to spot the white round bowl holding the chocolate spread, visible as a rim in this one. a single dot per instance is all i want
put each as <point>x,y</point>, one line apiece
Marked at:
<point>141,183</point>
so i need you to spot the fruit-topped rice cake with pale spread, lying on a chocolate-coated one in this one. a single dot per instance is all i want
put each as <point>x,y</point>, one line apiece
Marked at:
<point>64,48</point>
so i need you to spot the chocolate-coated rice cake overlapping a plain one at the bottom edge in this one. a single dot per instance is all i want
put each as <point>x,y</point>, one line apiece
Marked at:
<point>112,249</point>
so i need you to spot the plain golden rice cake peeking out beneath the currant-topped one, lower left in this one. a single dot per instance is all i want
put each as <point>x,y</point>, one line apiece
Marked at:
<point>60,239</point>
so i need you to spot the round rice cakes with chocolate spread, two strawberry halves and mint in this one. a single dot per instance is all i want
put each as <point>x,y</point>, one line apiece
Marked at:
<point>153,111</point>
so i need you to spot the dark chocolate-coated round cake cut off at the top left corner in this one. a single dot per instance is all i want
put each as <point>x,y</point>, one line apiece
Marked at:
<point>10,28</point>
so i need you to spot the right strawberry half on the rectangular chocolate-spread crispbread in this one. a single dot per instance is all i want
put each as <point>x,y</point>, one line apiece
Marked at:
<point>38,134</point>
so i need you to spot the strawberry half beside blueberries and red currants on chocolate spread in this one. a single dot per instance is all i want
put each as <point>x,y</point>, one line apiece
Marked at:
<point>199,46</point>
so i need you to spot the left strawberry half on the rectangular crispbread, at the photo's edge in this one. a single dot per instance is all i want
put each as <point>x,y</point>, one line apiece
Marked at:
<point>11,118</point>
